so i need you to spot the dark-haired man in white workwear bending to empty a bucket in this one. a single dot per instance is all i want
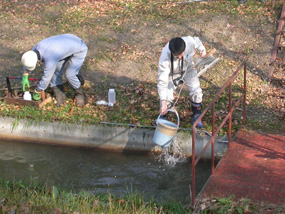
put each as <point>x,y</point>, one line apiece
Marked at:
<point>175,67</point>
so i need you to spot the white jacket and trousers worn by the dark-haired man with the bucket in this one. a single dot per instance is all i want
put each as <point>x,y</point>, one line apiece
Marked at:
<point>165,85</point>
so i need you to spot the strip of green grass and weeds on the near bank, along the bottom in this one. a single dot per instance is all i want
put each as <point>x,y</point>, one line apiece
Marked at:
<point>23,198</point>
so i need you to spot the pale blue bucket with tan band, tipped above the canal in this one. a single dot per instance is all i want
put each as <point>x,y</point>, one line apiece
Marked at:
<point>165,131</point>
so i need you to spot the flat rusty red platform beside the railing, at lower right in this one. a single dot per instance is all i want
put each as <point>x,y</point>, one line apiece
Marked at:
<point>254,168</point>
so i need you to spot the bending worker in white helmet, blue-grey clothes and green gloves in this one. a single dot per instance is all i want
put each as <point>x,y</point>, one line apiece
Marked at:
<point>61,54</point>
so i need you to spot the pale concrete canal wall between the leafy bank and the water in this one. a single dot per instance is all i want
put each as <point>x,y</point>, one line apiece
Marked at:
<point>104,137</point>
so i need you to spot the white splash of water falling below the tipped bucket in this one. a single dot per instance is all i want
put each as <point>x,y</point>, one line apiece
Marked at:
<point>172,155</point>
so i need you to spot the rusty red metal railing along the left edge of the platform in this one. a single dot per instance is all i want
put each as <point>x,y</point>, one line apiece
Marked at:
<point>216,131</point>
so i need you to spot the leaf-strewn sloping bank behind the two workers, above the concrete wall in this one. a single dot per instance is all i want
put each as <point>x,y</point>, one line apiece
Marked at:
<point>125,39</point>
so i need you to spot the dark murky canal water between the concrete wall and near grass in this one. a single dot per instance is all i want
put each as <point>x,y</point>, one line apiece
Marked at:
<point>95,171</point>
